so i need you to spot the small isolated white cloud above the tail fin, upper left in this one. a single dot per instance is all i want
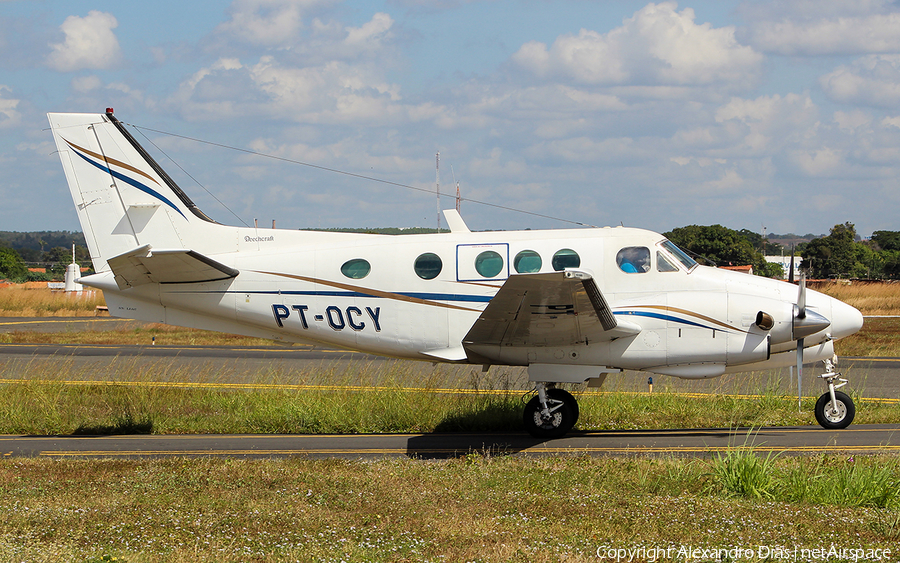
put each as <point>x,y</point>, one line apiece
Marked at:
<point>89,43</point>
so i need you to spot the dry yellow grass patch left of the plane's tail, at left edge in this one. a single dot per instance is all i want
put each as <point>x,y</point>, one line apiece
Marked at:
<point>18,301</point>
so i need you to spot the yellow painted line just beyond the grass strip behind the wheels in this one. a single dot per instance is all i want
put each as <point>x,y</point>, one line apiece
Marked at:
<point>357,388</point>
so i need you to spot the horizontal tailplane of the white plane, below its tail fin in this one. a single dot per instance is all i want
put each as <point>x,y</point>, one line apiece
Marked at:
<point>145,265</point>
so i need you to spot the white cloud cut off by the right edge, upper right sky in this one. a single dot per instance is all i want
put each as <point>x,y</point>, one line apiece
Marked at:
<point>873,81</point>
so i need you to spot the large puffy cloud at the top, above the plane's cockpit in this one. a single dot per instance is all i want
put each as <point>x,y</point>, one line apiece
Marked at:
<point>658,45</point>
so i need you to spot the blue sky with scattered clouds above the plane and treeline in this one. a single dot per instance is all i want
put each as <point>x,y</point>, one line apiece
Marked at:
<point>654,115</point>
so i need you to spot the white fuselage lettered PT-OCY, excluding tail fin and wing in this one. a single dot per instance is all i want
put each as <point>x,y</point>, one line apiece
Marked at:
<point>695,323</point>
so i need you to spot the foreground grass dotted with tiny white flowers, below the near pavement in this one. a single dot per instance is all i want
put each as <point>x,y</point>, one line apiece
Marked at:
<point>475,508</point>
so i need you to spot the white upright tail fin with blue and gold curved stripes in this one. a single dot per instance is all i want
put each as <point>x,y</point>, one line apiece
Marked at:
<point>124,199</point>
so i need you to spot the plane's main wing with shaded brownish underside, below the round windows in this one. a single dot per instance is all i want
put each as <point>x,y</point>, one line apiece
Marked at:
<point>552,309</point>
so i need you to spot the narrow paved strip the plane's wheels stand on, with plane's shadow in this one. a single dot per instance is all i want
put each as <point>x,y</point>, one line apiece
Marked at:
<point>861,439</point>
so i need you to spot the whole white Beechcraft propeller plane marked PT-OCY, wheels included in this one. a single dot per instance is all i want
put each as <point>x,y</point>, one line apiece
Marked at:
<point>571,305</point>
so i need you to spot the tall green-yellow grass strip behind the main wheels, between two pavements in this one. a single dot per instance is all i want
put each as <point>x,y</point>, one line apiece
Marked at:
<point>168,397</point>
